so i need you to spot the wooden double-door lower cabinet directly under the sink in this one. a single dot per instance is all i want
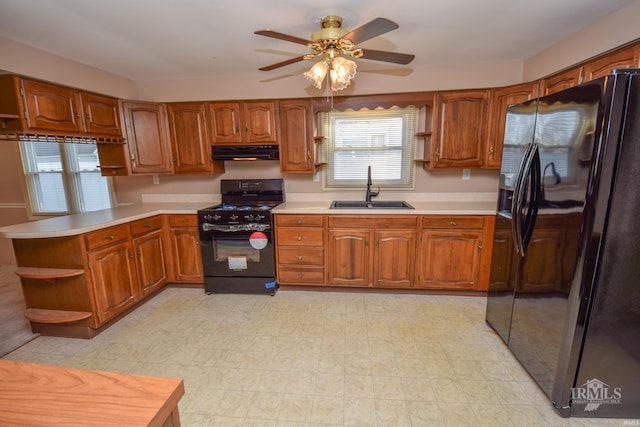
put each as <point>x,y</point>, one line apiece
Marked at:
<point>374,250</point>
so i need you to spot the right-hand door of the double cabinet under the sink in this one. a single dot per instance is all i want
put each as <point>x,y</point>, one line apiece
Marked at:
<point>394,258</point>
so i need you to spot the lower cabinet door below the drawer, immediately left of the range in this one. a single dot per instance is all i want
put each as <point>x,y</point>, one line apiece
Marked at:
<point>187,258</point>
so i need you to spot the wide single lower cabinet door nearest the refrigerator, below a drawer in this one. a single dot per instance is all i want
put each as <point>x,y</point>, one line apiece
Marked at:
<point>450,259</point>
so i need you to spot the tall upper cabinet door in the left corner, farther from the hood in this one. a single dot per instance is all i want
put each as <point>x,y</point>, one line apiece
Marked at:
<point>147,137</point>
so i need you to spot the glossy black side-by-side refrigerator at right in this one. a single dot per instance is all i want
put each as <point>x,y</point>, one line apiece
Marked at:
<point>564,289</point>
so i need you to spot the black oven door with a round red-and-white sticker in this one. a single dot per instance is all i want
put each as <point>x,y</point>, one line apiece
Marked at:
<point>231,251</point>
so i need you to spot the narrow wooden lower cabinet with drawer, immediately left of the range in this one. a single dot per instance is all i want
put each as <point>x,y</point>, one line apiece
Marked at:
<point>184,249</point>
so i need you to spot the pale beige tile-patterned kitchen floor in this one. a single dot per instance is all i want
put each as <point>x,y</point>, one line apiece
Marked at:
<point>318,359</point>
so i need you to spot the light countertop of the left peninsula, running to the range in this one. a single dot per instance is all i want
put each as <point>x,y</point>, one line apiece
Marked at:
<point>71,225</point>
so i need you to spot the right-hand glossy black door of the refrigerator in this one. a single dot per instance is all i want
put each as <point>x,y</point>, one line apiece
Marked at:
<point>565,128</point>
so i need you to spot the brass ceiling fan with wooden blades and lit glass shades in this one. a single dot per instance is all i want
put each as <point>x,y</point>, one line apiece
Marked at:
<point>331,41</point>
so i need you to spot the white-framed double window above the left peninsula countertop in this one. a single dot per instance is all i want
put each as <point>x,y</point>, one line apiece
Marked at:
<point>64,178</point>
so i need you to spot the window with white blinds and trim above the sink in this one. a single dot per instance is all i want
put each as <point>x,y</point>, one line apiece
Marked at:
<point>382,138</point>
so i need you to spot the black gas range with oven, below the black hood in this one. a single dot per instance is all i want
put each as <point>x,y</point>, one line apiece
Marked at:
<point>237,239</point>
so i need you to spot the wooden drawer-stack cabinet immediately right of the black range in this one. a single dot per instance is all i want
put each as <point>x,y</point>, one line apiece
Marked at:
<point>300,249</point>
